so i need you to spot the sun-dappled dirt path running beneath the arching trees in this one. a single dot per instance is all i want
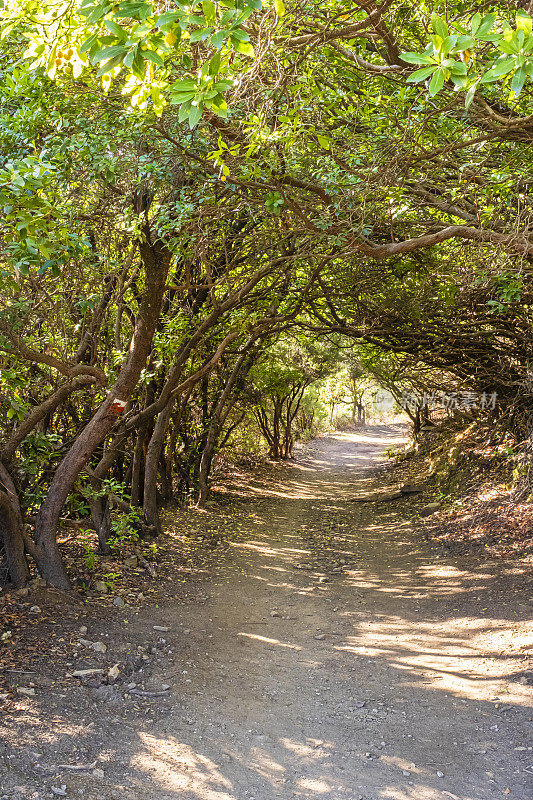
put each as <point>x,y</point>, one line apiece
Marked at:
<point>335,657</point>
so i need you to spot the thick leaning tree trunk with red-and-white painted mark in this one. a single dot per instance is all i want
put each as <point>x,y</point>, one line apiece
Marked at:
<point>156,261</point>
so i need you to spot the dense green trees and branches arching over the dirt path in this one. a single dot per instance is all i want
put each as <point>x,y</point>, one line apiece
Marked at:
<point>207,207</point>
